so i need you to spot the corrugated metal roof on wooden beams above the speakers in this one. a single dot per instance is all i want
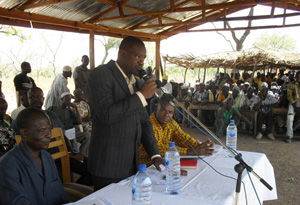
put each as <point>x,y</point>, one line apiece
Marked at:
<point>146,18</point>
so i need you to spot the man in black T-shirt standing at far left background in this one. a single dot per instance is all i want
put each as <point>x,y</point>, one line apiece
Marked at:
<point>23,82</point>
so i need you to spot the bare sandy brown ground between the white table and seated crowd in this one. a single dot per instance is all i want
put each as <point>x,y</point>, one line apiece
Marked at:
<point>284,157</point>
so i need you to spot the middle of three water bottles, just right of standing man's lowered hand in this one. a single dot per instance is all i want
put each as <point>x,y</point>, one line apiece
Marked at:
<point>172,170</point>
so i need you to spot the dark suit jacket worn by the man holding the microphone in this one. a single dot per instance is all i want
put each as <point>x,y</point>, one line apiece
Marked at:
<point>120,123</point>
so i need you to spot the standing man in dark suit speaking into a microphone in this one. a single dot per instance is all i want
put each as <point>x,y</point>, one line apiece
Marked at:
<point>119,117</point>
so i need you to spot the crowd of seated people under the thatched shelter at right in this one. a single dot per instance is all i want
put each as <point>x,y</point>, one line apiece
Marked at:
<point>261,94</point>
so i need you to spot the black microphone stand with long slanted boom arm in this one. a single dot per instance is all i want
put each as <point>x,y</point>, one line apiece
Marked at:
<point>239,168</point>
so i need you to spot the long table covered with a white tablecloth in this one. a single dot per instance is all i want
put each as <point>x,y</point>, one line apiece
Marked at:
<point>201,186</point>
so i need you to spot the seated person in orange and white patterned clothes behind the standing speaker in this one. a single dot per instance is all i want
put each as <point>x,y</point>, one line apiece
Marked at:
<point>84,110</point>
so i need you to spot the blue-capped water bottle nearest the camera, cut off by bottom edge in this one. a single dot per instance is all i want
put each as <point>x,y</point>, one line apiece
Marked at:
<point>141,187</point>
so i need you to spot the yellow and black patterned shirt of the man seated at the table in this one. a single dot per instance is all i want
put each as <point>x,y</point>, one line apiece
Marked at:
<point>164,136</point>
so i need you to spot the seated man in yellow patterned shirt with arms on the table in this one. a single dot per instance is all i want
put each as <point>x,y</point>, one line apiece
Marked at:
<point>167,130</point>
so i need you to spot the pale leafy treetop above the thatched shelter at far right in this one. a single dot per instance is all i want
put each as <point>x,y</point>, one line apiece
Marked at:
<point>275,41</point>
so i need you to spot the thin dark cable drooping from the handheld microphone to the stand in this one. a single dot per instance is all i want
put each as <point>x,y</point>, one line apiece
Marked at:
<point>198,156</point>
